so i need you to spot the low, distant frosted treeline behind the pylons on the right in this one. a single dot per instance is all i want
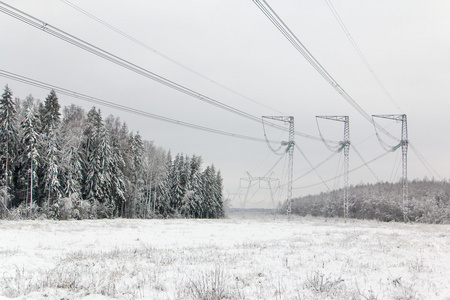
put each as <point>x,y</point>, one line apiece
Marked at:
<point>428,202</point>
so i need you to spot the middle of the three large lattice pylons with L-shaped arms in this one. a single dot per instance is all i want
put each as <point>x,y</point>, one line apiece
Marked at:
<point>343,145</point>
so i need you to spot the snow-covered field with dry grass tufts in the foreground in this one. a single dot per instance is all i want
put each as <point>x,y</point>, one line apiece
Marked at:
<point>241,257</point>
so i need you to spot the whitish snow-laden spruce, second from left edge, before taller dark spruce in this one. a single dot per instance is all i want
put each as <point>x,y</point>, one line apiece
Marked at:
<point>30,155</point>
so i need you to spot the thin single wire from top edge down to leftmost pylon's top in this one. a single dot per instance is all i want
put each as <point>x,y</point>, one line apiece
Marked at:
<point>166,57</point>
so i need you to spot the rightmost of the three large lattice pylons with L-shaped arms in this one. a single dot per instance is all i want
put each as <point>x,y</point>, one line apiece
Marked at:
<point>404,144</point>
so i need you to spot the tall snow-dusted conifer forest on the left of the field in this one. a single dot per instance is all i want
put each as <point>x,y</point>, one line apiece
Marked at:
<point>77,165</point>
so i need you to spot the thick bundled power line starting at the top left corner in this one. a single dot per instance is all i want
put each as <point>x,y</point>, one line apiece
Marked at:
<point>39,24</point>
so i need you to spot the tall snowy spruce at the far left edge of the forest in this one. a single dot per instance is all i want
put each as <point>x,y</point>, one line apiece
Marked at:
<point>8,145</point>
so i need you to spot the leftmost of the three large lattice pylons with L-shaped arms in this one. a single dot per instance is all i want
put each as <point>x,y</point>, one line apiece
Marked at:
<point>290,150</point>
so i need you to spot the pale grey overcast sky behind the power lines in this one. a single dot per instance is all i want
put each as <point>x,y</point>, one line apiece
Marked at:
<point>232,43</point>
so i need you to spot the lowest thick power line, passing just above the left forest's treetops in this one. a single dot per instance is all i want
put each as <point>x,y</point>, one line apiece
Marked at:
<point>124,108</point>
